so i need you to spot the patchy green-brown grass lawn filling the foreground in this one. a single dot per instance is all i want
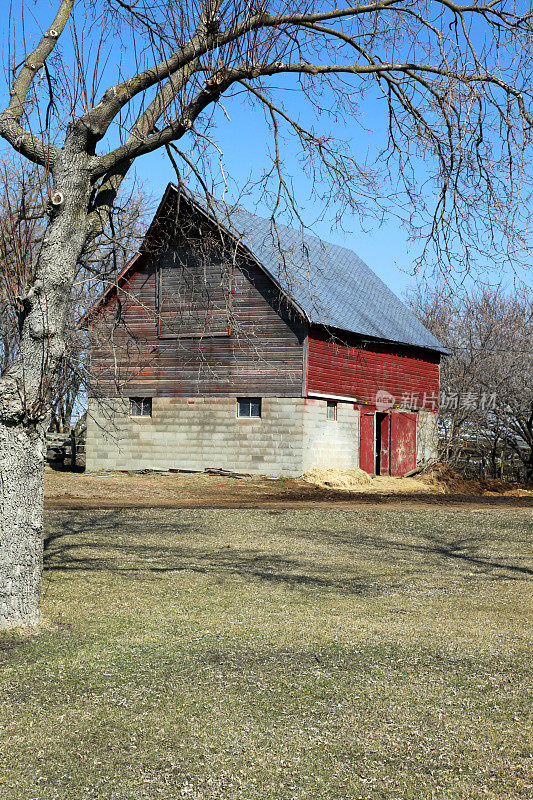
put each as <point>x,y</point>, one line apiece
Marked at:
<point>274,655</point>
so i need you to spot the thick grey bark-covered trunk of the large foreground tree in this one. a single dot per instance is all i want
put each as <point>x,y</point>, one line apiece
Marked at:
<point>26,387</point>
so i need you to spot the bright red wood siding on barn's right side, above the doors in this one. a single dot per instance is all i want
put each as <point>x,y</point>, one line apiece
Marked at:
<point>348,369</point>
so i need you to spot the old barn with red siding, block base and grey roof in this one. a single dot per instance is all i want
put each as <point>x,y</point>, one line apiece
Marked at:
<point>229,342</point>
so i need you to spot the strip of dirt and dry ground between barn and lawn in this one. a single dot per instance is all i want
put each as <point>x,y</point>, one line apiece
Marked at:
<point>154,490</point>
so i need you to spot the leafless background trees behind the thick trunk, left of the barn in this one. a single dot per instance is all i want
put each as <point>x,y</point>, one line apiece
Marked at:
<point>23,220</point>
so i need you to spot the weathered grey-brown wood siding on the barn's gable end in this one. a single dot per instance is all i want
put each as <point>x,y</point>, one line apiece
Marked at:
<point>184,325</point>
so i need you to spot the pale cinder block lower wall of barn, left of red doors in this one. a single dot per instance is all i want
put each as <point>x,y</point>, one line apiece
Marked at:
<point>292,435</point>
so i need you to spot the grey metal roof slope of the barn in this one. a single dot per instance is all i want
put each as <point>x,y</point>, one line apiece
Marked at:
<point>331,284</point>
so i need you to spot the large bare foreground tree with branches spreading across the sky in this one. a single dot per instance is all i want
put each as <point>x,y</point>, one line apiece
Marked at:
<point>453,82</point>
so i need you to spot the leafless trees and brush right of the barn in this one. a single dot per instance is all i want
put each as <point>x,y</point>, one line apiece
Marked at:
<point>487,379</point>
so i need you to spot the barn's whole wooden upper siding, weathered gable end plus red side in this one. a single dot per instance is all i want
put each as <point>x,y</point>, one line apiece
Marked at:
<point>153,339</point>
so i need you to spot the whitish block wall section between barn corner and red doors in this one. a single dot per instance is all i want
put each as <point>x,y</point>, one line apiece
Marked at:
<point>328,443</point>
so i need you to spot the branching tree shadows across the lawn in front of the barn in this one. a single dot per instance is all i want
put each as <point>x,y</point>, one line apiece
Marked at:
<point>110,541</point>
